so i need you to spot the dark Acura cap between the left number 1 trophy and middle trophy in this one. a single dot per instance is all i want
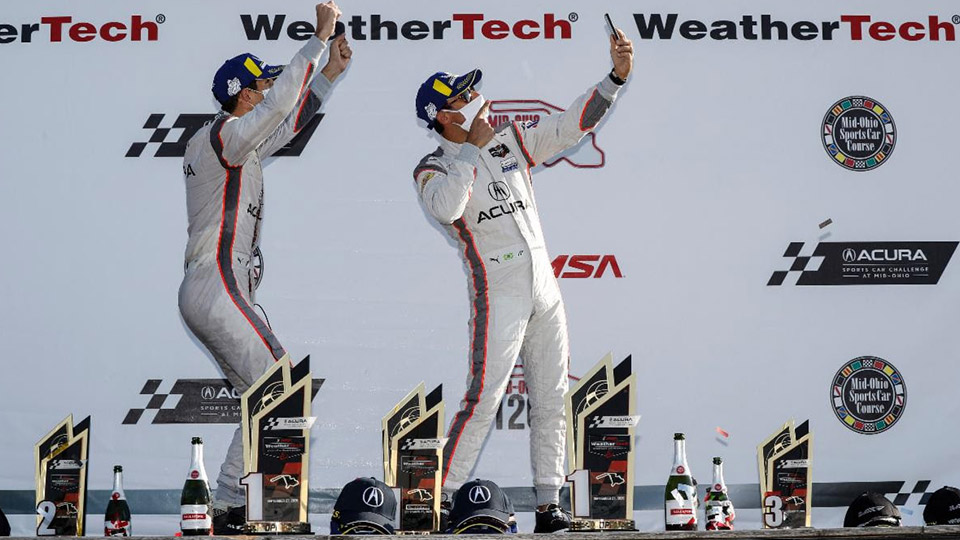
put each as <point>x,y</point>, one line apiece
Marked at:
<point>365,506</point>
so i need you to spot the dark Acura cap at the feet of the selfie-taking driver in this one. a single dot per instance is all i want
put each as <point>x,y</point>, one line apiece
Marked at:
<point>480,506</point>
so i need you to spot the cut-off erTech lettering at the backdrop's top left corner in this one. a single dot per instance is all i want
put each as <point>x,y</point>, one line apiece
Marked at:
<point>65,28</point>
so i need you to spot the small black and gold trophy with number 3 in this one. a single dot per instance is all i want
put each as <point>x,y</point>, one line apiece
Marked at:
<point>784,460</point>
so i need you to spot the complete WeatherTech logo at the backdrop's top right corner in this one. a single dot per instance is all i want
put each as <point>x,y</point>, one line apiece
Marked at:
<point>765,27</point>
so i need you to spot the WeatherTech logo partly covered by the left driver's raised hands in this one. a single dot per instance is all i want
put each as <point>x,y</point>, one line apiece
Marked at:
<point>466,26</point>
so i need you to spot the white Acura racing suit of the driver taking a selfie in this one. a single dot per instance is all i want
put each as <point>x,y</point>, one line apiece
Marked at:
<point>484,199</point>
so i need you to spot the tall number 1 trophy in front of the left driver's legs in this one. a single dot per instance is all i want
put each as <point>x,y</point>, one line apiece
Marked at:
<point>275,422</point>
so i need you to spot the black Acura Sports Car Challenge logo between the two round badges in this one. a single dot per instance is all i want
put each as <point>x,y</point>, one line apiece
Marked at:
<point>867,263</point>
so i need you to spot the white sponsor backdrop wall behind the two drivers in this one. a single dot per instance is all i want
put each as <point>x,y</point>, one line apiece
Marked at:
<point>713,163</point>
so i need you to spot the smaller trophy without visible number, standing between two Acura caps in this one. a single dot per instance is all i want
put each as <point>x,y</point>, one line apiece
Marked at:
<point>412,458</point>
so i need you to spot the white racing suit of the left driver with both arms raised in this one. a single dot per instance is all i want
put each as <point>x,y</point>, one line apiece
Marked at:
<point>224,181</point>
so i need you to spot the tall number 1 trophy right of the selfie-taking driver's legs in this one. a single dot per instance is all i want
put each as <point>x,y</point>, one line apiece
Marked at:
<point>601,416</point>
